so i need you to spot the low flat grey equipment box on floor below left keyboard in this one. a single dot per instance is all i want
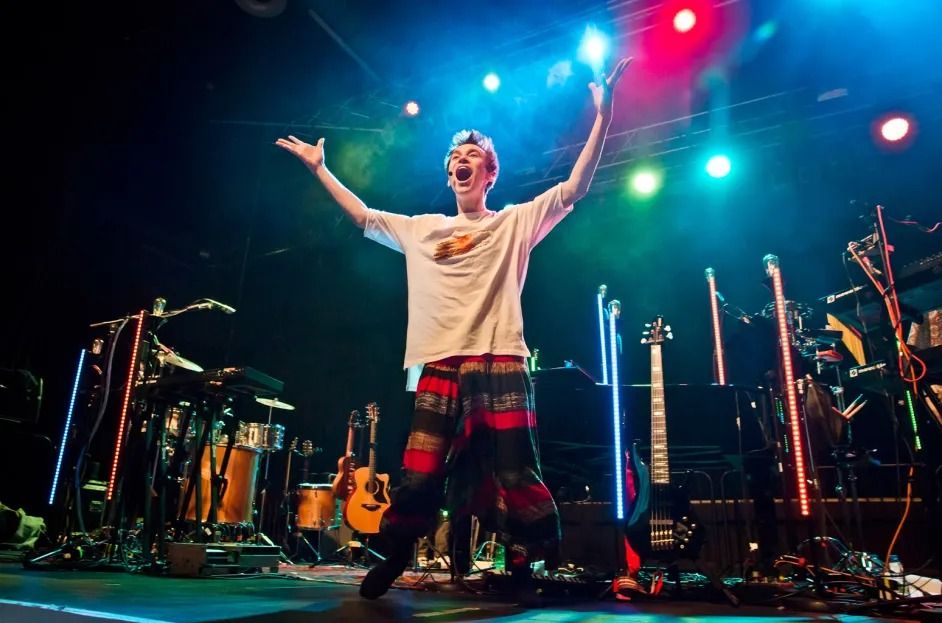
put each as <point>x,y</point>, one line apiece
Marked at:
<point>210,559</point>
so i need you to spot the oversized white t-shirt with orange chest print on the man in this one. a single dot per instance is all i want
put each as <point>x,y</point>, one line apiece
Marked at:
<point>465,275</point>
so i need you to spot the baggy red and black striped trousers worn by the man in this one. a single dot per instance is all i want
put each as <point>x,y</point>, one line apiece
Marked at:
<point>473,450</point>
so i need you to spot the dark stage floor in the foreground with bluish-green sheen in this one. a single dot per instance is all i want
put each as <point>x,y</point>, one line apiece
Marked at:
<point>323,594</point>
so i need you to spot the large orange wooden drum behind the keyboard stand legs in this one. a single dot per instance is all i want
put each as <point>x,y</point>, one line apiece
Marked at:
<point>238,492</point>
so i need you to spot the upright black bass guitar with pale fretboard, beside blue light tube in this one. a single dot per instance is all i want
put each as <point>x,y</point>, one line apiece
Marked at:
<point>662,525</point>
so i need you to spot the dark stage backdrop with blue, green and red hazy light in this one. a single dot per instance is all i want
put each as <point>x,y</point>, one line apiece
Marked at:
<point>143,165</point>
